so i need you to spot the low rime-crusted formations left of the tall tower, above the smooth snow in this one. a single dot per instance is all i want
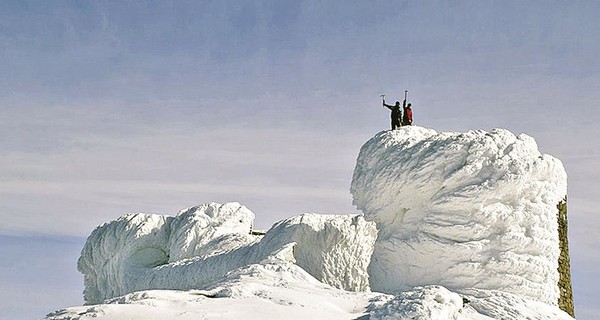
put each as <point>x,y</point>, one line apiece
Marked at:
<point>198,246</point>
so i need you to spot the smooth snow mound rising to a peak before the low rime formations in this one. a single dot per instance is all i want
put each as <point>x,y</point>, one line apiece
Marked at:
<point>275,288</point>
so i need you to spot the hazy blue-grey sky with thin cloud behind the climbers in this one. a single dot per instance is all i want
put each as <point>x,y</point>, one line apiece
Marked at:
<point>110,107</point>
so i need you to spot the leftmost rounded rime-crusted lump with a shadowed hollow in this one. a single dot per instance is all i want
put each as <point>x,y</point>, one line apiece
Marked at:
<point>149,251</point>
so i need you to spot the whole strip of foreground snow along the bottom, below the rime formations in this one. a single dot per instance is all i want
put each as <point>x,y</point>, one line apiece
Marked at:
<point>285,291</point>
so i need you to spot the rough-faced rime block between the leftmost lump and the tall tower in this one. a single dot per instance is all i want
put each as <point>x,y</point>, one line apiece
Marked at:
<point>335,249</point>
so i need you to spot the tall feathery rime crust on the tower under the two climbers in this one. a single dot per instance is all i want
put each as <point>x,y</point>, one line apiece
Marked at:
<point>462,210</point>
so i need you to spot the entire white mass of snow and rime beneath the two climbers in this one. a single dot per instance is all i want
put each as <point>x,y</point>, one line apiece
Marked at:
<point>456,226</point>
